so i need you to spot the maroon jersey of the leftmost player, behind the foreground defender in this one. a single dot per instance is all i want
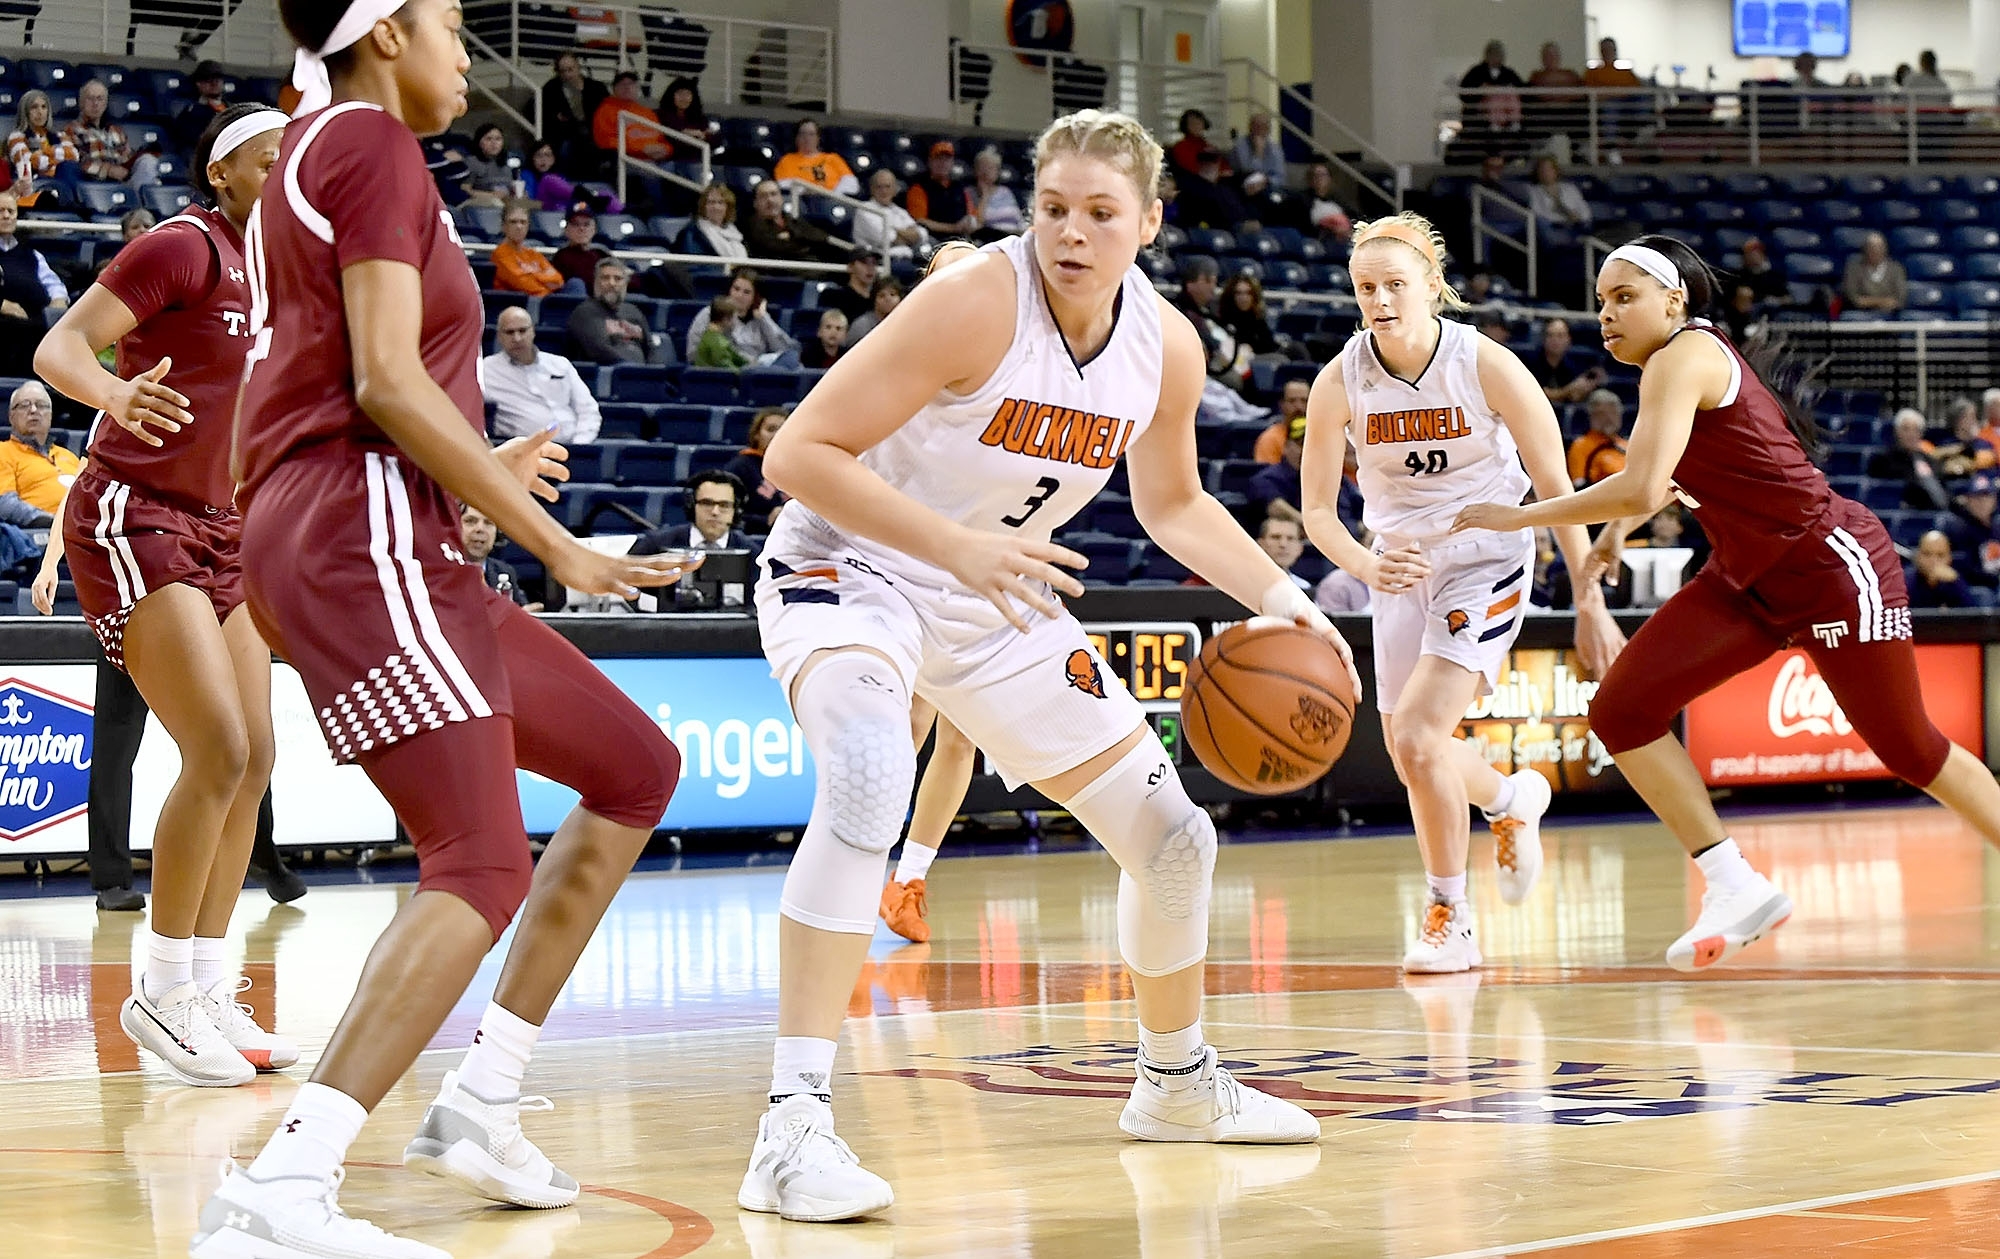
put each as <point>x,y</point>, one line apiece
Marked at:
<point>185,285</point>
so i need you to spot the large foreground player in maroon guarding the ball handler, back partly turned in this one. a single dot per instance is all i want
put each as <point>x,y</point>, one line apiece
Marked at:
<point>359,435</point>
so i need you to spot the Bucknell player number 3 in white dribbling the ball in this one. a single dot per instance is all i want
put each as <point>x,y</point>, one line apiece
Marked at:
<point>927,473</point>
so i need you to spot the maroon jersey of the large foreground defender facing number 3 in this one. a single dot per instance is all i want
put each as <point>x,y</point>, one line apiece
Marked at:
<point>349,187</point>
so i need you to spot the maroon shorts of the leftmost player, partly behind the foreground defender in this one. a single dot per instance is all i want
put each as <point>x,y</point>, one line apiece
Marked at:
<point>123,545</point>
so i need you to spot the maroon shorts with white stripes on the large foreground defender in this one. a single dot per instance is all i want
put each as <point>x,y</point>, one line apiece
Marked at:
<point>355,577</point>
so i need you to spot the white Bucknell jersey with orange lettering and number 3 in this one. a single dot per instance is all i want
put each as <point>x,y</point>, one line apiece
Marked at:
<point>1029,449</point>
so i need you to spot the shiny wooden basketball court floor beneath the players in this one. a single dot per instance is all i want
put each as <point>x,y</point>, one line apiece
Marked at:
<point>1835,1092</point>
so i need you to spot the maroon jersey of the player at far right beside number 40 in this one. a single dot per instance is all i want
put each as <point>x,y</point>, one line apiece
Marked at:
<point>1747,477</point>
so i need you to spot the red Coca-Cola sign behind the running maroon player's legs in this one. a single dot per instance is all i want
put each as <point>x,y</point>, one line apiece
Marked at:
<point>1781,722</point>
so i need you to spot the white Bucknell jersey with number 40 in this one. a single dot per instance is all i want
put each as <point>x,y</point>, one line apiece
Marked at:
<point>1433,447</point>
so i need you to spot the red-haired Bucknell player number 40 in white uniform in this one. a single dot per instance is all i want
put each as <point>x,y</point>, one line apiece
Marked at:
<point>1441,417</point>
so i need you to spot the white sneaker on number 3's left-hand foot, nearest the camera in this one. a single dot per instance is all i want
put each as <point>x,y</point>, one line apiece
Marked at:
<point>801,1170</point>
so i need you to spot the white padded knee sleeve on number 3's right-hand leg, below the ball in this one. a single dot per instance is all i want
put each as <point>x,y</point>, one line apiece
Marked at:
<point>1167,848</point>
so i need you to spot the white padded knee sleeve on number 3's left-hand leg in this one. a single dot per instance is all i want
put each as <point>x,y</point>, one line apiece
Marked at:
<point>855,712</point>
